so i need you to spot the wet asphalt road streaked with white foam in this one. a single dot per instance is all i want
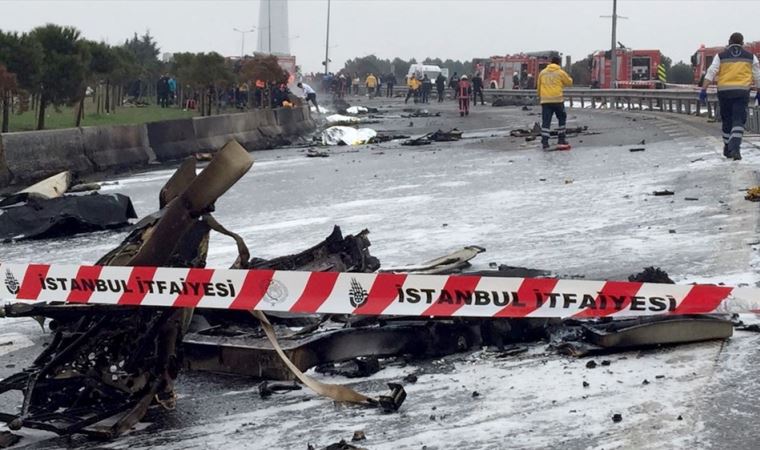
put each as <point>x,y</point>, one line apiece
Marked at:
<point>588,211</point>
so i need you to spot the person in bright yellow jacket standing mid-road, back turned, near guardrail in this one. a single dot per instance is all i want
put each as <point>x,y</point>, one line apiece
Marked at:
<point>551,84</point>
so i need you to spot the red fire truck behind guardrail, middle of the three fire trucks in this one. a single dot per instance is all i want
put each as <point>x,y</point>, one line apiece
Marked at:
<point>635,69</point>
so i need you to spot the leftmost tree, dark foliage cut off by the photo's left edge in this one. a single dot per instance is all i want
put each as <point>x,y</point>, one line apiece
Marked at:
<point>22,56</point>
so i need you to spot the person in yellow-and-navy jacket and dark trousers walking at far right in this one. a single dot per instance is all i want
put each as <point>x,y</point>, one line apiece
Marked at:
<point>735,69</point>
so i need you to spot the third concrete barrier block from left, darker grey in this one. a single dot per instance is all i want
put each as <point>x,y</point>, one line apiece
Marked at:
<point>172,140</point>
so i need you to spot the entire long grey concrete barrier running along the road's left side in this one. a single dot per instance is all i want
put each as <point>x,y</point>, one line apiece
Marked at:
<point>34,155</point>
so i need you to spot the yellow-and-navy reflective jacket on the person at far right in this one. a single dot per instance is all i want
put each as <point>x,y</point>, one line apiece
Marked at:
<point>735,68</point>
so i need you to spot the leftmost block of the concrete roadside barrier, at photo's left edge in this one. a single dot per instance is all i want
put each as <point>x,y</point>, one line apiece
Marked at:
<point>34,155</point>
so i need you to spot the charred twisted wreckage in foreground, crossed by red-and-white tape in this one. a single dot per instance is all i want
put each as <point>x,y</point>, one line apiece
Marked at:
<point>107,365</point>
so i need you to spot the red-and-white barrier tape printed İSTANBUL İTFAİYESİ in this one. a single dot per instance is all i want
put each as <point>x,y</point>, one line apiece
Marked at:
<point>365,294</point>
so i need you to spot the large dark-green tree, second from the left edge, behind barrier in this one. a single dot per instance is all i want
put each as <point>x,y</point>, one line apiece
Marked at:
<point>63,69</point>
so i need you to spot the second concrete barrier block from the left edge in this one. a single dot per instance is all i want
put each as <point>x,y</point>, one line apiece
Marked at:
<point>117,148</point>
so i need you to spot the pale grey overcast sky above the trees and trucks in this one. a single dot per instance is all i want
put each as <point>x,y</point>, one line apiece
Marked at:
<point>457,29</point>
